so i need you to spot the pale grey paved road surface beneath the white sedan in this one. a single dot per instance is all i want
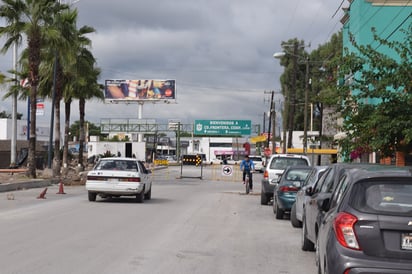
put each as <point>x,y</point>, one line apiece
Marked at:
<point>189,226</point>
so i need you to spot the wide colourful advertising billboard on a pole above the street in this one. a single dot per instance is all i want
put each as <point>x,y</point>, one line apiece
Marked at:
<point>139,90</point>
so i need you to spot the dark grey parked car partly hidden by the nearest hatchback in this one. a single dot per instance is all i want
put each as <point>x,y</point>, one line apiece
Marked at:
<point>321,190</point>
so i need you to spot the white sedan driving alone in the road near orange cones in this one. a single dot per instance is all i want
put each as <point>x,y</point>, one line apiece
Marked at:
<point>115,177</point>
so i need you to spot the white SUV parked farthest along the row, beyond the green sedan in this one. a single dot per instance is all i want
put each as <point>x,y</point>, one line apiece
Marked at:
<point>274,168</point>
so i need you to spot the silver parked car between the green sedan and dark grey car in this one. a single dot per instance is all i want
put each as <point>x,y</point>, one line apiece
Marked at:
<point>296,212</point>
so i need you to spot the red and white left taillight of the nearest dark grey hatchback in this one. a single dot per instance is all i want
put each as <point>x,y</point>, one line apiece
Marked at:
<point>344,230</point>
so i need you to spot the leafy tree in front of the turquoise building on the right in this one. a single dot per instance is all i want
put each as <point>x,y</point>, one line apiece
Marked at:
<point>377,105</point>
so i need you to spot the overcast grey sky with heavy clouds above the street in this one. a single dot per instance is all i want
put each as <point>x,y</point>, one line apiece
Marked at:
<point>218,51</point>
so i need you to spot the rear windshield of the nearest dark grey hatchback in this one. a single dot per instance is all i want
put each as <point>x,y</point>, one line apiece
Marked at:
<point>383,197</point>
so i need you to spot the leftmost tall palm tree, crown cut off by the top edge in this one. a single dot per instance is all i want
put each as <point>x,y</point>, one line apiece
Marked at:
<point>34,19</point>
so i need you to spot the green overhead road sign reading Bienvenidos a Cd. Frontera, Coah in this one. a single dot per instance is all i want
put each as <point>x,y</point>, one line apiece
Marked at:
<point>222,127</point>
